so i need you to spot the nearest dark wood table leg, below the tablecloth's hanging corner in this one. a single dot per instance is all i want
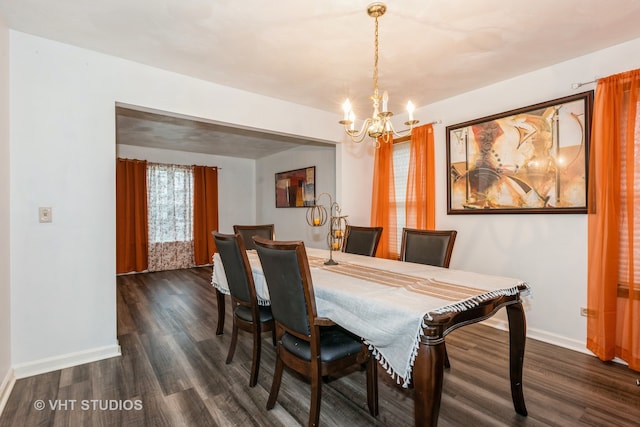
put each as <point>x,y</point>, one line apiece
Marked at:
<point>428,375</point>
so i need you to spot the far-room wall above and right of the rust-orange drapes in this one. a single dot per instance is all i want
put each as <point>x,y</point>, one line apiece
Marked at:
<point>236,180</point>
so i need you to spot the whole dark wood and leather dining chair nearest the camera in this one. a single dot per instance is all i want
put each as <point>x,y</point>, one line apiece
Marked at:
<point>310,345</point>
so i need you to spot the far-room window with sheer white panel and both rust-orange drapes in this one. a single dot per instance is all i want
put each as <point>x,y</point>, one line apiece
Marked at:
<point>164,215</point>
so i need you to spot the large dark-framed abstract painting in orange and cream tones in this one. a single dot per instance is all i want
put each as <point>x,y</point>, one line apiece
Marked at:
<point>528,160</point>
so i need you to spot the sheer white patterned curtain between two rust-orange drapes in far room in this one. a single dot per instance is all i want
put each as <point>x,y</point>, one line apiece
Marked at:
<point>170,202</point>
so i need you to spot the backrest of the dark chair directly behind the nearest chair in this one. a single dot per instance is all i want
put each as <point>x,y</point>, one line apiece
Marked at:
<point>236,266</point>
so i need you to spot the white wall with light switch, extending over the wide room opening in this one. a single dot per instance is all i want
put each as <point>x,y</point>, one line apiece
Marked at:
<point>63,154</point>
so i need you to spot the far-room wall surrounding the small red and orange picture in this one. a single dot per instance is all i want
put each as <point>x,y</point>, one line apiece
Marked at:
<point>291,223</point>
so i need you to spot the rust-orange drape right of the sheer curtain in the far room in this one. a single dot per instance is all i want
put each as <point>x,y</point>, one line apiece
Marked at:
<point>205,213</point>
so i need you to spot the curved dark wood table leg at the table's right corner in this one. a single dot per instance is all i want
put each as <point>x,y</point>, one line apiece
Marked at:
<point>517,334</point>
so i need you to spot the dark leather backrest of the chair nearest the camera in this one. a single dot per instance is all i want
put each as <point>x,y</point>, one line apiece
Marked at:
<point>286,271</point>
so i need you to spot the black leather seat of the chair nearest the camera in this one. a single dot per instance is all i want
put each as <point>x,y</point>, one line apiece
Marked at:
<point>335,343</point>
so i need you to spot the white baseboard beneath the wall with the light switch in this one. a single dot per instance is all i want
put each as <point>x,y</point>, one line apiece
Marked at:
<point>65,361</point>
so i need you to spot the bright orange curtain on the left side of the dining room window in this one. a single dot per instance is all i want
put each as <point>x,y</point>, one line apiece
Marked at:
<point>383,212</point>
